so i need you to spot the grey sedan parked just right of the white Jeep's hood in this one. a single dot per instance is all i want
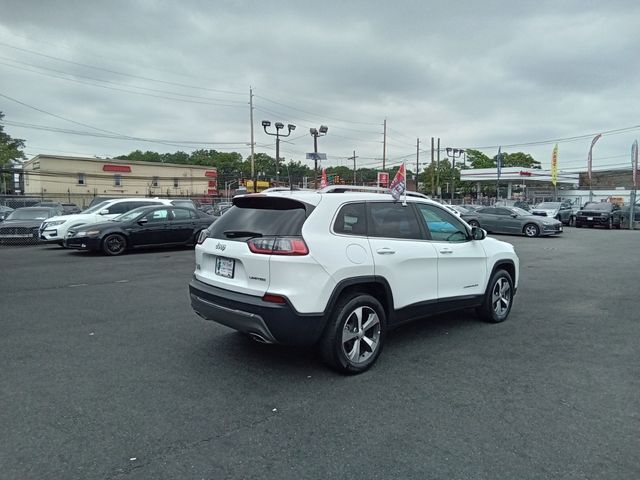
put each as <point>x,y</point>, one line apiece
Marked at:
<point>513,220</point>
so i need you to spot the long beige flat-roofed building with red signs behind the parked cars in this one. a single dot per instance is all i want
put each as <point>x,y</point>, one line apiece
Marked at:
<point>78,179</point>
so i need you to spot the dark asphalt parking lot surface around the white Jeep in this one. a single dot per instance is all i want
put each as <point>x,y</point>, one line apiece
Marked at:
<point>106,373</point>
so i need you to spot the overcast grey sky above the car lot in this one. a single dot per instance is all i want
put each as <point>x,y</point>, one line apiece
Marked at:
<point>477,74</point>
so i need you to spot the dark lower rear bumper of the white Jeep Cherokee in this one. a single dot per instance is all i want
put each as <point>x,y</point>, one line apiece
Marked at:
<point>265,321</point>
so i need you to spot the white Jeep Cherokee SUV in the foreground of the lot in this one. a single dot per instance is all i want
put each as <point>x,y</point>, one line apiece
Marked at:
<point>338,268</point>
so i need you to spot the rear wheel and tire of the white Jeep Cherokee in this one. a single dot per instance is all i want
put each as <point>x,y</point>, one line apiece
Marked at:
<point>345,336</point>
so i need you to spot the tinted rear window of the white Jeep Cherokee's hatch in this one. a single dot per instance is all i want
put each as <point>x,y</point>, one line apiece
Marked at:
<point>265,216</point>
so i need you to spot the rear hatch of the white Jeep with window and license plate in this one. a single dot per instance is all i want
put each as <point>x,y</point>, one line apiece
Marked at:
<point>236,255</point>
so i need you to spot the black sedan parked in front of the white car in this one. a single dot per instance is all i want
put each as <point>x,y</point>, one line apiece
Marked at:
<point>149,226</point>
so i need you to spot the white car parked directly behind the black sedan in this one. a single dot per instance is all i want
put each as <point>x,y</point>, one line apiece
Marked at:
<point>54,229</point>
